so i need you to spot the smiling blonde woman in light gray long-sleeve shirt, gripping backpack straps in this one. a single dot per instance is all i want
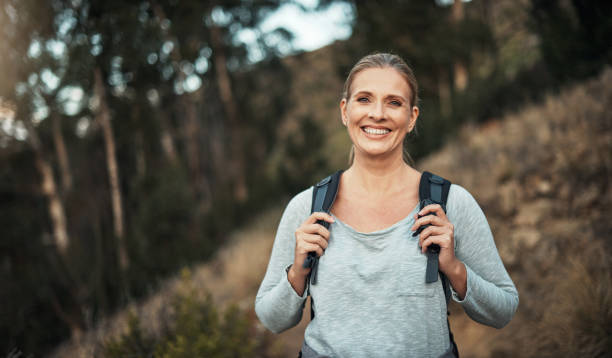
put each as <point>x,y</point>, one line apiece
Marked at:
<point>370,298</point>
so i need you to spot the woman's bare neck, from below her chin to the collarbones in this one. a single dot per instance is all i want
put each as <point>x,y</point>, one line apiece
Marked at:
<point>380,176</point>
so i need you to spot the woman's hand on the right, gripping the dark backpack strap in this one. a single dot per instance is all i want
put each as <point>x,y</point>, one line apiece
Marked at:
<point>440,232</point>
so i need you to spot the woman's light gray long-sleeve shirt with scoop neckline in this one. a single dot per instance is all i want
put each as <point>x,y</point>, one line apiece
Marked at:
<point>371,299</point>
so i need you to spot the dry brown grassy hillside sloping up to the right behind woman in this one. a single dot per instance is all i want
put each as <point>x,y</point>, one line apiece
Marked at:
<point>542,176</point>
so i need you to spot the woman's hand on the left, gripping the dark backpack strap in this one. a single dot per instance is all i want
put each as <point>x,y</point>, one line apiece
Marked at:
<point>310,237</point>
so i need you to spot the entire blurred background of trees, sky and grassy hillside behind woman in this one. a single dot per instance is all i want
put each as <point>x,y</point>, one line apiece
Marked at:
<point>148,148</point>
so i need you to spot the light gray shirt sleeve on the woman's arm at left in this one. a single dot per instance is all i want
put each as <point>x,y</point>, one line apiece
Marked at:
<point>277,305</point>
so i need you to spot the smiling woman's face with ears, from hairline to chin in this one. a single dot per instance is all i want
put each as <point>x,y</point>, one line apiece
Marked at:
<point>378,114</point>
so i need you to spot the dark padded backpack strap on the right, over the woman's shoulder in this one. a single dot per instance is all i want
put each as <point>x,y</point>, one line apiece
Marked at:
<point>432,190</point>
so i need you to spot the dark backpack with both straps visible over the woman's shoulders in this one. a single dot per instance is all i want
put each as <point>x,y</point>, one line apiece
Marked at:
<point>433,189</point>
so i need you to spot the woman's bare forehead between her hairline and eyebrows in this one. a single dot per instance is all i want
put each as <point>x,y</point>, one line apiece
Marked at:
<point>385,80</point>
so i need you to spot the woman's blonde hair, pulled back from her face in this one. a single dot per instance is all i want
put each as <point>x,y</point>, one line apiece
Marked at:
<point>384,60</point>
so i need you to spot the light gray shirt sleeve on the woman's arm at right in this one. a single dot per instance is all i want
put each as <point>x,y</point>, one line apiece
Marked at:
<point>491,297</point>
